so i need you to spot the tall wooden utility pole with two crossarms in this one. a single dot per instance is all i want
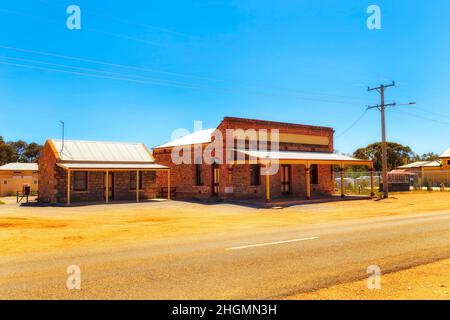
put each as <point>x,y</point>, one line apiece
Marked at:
<point>382,107</point>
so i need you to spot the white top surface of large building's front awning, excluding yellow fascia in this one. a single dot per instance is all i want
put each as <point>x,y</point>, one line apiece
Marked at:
<point>297,155</point>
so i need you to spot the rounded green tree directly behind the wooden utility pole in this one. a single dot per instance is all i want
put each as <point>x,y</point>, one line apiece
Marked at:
<point>397,154</point>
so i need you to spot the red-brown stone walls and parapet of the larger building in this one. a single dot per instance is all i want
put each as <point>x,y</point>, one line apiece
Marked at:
<point>238,185</point>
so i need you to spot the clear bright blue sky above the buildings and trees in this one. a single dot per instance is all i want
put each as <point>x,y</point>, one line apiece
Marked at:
<point>296,61</point>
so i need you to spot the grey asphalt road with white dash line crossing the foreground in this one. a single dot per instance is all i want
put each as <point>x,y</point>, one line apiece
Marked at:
<point>251,265</point>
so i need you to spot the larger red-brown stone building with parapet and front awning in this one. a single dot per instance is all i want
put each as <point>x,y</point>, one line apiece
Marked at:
<point>304,160</point>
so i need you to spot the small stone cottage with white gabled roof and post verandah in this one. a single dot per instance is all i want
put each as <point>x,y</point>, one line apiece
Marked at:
<point>92,171</point>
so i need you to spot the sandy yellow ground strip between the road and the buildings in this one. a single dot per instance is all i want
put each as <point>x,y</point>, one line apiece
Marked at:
<point>47,229</point>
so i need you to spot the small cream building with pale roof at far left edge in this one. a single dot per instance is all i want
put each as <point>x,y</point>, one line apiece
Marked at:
<point>15,176</point>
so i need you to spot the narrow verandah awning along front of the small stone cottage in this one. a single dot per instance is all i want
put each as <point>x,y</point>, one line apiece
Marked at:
<point>112,166</point>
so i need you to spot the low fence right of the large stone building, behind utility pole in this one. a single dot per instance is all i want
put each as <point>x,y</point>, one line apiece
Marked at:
<point>358,183</point>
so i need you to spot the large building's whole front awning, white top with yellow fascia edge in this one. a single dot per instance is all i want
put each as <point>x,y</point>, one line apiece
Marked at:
<point>303,157</point>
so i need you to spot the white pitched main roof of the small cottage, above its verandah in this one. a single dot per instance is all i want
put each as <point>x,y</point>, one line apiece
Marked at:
<point>98,151</point>
